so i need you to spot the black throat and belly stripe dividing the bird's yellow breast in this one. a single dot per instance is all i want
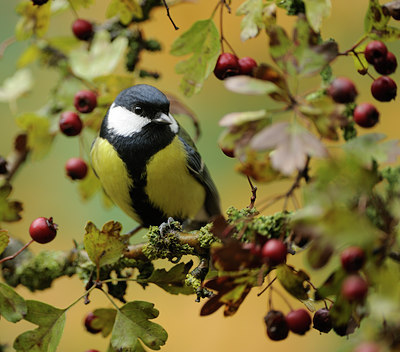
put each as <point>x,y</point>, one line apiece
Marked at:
<point>136,151</point>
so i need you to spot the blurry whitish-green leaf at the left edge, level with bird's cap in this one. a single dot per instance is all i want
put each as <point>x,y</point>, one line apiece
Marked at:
<point>16,86</point>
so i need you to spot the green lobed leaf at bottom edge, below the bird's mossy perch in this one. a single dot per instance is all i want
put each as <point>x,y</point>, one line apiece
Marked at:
<point>132,323</point>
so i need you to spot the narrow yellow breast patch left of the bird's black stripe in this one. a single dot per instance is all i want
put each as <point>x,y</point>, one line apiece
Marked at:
<point>113,175</point>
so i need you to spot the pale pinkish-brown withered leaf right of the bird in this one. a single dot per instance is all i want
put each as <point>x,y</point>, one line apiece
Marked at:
<point>291,145</point>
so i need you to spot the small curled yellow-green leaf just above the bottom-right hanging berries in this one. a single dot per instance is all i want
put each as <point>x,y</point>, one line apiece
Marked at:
<point>294,282</point>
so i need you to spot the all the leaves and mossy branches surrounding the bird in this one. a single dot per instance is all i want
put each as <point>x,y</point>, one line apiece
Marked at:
<point>349,193</point>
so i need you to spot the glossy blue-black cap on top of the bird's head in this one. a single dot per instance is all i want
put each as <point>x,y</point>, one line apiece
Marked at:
<point>145,96</point>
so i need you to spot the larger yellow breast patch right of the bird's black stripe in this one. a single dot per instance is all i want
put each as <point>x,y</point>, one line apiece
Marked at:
<point>169,184</point>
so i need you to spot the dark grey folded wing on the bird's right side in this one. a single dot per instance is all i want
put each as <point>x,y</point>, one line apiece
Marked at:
<point>199,170</point>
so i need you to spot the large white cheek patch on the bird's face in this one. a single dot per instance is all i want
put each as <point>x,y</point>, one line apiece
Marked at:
<point>123,122</point>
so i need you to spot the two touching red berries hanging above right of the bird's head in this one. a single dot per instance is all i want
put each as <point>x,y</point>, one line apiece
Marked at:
<point>230,65</point>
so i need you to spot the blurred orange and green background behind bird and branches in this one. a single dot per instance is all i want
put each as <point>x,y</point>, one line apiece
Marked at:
<point>45,190</point>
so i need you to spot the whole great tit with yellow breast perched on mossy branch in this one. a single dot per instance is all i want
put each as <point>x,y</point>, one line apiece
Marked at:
<point>148,164</point>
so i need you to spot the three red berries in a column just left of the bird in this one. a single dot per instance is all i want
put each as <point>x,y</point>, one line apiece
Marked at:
<point>71,125</point>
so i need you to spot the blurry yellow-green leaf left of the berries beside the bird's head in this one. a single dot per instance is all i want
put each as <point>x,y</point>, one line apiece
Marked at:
<point>40,137</point>
